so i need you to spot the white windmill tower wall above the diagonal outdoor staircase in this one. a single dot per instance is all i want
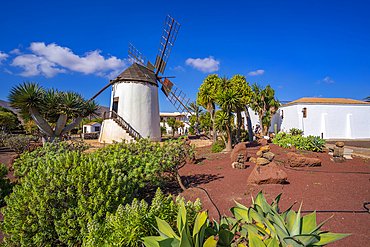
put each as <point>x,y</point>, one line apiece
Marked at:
<point>138,105</point>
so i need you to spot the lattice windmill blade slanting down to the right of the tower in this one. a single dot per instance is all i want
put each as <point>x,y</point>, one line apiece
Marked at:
<point>177,97</point>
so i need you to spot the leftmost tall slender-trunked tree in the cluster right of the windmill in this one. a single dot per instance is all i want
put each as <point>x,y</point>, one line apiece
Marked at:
<point>206,97</point>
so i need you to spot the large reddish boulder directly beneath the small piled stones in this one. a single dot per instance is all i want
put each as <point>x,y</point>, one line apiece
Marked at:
<point>268,174</point>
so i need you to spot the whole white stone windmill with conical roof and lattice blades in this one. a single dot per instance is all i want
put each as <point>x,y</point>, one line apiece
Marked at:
<point>134,110</point>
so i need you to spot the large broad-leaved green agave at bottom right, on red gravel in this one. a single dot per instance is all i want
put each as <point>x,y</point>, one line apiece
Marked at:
<point>265,226</point>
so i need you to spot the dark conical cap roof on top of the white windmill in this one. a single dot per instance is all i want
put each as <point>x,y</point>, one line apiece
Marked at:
<point>137,74</point>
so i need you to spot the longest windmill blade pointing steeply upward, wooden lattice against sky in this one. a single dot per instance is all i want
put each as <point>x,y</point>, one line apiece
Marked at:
<point>170,30</point>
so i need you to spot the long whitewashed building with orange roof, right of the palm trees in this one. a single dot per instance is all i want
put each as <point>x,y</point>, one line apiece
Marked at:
<point>329,118</point>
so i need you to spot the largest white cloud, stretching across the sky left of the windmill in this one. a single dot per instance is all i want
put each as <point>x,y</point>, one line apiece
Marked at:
<point>52,59</point>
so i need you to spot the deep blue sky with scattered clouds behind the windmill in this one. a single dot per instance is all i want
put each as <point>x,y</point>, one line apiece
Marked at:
<point>301,48</point>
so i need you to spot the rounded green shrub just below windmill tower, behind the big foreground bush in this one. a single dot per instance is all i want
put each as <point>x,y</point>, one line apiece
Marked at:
<point>148,162</point>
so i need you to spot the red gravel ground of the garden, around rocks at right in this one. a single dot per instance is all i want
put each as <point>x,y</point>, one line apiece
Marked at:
<point>338,189</point>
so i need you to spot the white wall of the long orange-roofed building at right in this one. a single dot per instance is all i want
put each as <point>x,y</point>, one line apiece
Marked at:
<point>334,121</point>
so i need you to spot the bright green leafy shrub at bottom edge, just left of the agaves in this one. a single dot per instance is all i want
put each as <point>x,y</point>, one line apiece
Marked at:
<point>134,221</point>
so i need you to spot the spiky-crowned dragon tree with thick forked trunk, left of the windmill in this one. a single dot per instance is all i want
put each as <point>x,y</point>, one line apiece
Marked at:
<point>51,107</point>
